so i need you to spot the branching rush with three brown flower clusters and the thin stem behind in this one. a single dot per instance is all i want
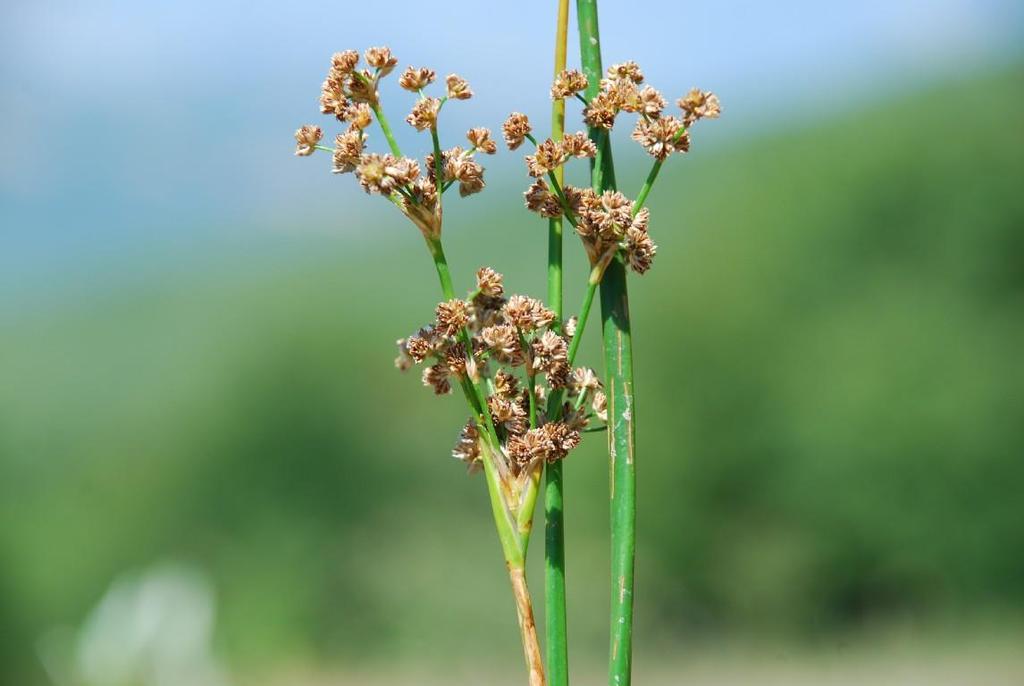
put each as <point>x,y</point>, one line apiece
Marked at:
<point>513,358</point>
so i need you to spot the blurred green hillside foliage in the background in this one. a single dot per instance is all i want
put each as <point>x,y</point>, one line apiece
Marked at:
<point>830,431</point>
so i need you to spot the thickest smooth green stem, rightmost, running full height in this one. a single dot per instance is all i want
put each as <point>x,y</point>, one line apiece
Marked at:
<point>619,373</point>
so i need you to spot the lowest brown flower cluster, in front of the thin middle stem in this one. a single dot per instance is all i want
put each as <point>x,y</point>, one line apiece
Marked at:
<point>506,347</point>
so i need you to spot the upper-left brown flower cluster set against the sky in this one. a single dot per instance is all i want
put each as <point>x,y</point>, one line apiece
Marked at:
<point>351,95</point>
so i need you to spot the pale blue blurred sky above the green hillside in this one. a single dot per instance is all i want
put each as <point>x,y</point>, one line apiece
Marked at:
<point>134,124</point>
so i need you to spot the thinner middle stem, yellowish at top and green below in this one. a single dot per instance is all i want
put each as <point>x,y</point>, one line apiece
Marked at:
<point>554,526</point>
